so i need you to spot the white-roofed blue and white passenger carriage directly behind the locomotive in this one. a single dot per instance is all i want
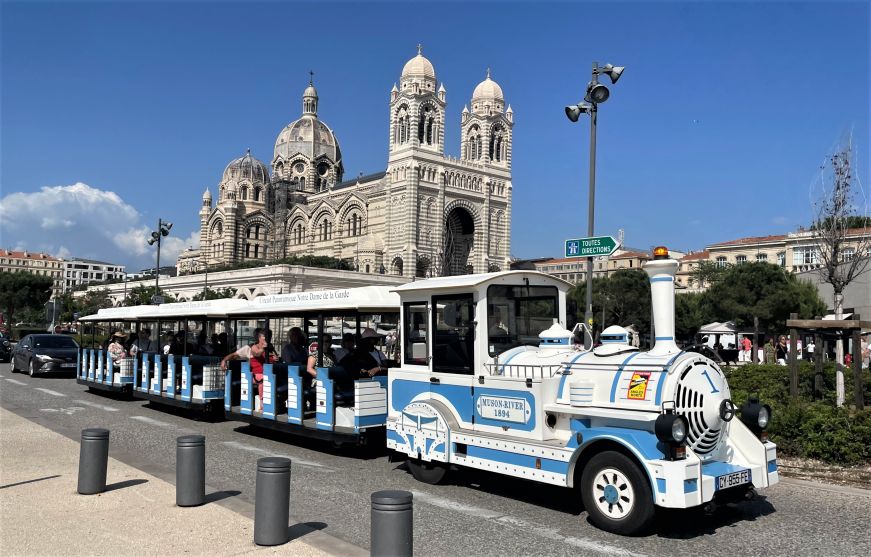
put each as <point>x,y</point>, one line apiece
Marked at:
<point>330,407</point>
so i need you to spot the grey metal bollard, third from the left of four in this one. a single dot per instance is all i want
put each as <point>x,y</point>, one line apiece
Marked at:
<point>272,501</point>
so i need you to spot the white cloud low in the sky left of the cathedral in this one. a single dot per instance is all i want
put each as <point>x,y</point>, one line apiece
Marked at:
<point>83,221</point>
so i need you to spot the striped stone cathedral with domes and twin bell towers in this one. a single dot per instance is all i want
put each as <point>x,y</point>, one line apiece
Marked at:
<point>427,214</point>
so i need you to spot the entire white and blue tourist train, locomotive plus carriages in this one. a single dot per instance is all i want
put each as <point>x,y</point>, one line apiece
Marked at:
<point>486,375</point>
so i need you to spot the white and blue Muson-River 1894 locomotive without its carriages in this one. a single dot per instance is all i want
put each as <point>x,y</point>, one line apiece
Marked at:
<point>630,429</point>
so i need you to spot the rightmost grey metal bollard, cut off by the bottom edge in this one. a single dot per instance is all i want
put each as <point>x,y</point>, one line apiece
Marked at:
<point>392,532</point>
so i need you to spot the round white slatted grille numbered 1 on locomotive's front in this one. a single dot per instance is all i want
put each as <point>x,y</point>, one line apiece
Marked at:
<point>700,391</point>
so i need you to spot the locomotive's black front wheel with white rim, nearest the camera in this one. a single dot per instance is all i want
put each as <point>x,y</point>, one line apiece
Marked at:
<point>616,494</point>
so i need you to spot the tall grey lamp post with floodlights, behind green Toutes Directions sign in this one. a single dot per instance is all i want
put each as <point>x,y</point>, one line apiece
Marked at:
<point>596,93</point>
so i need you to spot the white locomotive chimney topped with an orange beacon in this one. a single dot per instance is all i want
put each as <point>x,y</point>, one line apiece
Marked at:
<point>661,272</point>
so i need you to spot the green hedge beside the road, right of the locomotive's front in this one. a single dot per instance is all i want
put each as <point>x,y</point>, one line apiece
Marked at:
<point>805,427</point>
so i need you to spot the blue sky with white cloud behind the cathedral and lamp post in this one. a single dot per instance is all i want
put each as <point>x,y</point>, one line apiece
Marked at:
<point>715,131</point>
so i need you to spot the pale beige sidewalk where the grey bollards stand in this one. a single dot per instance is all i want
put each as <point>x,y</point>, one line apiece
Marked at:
<point>41,513</point>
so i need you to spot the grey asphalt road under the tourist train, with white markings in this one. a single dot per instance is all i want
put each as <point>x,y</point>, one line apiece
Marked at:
<point>475,513</point>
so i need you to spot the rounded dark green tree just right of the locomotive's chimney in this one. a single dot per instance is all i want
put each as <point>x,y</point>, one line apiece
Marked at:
<point>761,290</point>
